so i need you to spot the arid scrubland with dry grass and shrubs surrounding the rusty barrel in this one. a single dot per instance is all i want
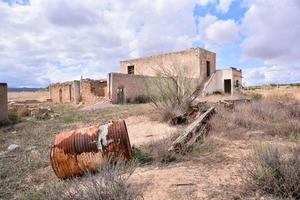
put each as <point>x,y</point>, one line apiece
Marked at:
<point>252,152</point>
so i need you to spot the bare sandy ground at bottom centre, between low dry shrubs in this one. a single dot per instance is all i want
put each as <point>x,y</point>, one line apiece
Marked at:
<point>214,176</point>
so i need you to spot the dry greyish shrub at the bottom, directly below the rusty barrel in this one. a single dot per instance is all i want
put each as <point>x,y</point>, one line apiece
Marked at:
<point>110,183</point>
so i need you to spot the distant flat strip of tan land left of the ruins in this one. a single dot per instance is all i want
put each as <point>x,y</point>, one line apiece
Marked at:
<point>25,96</point>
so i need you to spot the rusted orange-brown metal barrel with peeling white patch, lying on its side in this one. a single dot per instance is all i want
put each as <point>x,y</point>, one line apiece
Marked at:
<point>84,150</point>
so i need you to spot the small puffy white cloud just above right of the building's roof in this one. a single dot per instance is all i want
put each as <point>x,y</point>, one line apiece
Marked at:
<point>222,31</point>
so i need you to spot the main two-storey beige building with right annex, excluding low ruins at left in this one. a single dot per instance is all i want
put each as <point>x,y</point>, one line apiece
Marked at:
<point>200,64</point>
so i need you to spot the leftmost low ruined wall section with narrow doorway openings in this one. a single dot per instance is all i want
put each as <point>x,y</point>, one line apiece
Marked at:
<point>62,92</point>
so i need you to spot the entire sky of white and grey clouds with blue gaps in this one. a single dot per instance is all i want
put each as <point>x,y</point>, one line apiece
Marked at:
<point>44,41</point>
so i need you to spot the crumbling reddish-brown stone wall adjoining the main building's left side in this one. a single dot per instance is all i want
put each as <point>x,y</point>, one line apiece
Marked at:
<point>92,90</point>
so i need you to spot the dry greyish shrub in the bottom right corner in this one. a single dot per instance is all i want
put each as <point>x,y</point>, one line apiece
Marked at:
<point>273,170</point>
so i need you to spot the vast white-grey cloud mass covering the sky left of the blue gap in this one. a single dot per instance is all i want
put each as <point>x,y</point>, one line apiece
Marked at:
<point>50,41</point>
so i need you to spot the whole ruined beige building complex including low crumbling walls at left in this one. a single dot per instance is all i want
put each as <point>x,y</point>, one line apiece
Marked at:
<point>123,87</point>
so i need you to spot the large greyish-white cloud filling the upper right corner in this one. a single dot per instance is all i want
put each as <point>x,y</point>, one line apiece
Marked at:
<point>272,29</point>
